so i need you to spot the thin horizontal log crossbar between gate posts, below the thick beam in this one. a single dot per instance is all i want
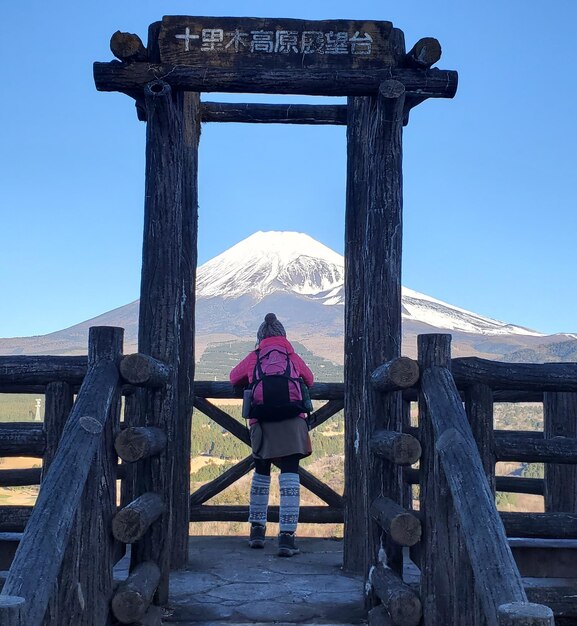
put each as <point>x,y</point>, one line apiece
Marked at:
<point>274,113</point>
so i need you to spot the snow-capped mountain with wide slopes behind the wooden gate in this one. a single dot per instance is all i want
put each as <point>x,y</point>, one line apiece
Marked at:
<point>302,281</point>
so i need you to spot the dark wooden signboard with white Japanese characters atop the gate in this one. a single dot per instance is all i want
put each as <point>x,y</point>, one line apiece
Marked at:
<point>233,43</point>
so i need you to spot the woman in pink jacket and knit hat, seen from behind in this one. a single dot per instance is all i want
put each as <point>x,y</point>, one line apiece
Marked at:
<point>282,442</point>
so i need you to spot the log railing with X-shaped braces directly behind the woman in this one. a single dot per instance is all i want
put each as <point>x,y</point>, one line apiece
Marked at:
<point>333,512</point>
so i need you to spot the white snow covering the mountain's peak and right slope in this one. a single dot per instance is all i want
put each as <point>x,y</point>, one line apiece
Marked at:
<point>269,262</point>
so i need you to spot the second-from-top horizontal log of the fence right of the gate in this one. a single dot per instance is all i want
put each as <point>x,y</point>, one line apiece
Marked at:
<point>556,450</point>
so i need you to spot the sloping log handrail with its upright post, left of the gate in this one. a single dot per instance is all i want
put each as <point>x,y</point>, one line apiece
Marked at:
<point>83,463</point>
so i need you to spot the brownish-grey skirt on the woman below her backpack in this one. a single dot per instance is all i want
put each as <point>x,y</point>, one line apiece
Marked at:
<point>273,440</point>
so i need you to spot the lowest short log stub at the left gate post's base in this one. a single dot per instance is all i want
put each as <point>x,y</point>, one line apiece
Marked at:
<point>134,595</point>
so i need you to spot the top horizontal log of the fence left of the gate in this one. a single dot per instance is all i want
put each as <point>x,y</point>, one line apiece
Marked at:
<point>41,370</point>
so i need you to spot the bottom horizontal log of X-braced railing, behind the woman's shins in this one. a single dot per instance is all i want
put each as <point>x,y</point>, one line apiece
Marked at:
<point>307,515</point>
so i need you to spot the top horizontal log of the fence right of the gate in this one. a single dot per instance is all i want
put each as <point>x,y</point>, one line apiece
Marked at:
<point>515,376</point>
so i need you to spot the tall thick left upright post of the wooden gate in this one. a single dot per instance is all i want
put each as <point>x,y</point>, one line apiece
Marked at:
<point>166,320</point>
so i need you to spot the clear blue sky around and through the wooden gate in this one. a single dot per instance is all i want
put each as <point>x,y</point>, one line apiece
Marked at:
<point>490,215</point>
